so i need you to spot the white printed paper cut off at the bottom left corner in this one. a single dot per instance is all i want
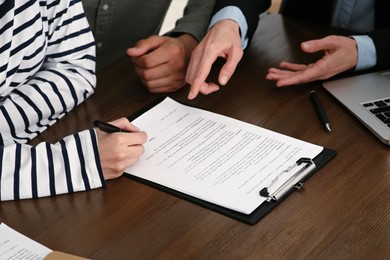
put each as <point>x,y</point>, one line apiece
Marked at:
<point>15,246</point>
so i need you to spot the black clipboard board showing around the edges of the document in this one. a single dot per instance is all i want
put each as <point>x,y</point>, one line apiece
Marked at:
<point>316,163</point>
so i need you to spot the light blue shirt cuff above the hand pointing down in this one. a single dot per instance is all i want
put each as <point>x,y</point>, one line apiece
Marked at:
<point>233,13</point>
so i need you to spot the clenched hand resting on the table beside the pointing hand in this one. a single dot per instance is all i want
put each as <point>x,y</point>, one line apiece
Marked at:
<point>161,62</point>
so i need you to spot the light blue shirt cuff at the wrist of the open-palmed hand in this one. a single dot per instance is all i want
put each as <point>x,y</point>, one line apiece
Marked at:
<point>366,52</point>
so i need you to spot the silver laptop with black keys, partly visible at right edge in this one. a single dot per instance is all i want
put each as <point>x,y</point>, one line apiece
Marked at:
<point>367,97</point>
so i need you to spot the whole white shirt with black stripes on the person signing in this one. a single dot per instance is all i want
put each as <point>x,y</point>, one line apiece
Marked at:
<point>47,67</point>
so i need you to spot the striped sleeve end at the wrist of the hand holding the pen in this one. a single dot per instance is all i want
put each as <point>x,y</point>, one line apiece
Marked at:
<point>68,166</point>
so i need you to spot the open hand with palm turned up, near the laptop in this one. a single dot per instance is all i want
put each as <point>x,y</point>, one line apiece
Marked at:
<point>340,54</point>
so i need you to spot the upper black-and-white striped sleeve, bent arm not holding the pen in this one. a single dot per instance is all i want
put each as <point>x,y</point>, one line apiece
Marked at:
<point>65,78</point>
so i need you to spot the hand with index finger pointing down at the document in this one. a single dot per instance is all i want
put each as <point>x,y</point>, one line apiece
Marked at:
<point>223,40</point>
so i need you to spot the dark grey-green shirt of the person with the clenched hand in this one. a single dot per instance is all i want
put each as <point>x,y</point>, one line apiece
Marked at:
<point>120,24</point>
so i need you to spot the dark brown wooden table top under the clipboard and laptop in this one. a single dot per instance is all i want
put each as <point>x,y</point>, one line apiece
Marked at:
<point>342,212</point>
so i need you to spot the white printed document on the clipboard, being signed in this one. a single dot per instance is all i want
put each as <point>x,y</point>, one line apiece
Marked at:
<point>215,158</point>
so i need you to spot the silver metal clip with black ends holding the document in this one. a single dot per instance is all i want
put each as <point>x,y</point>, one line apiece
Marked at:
<point>300,170</point>
